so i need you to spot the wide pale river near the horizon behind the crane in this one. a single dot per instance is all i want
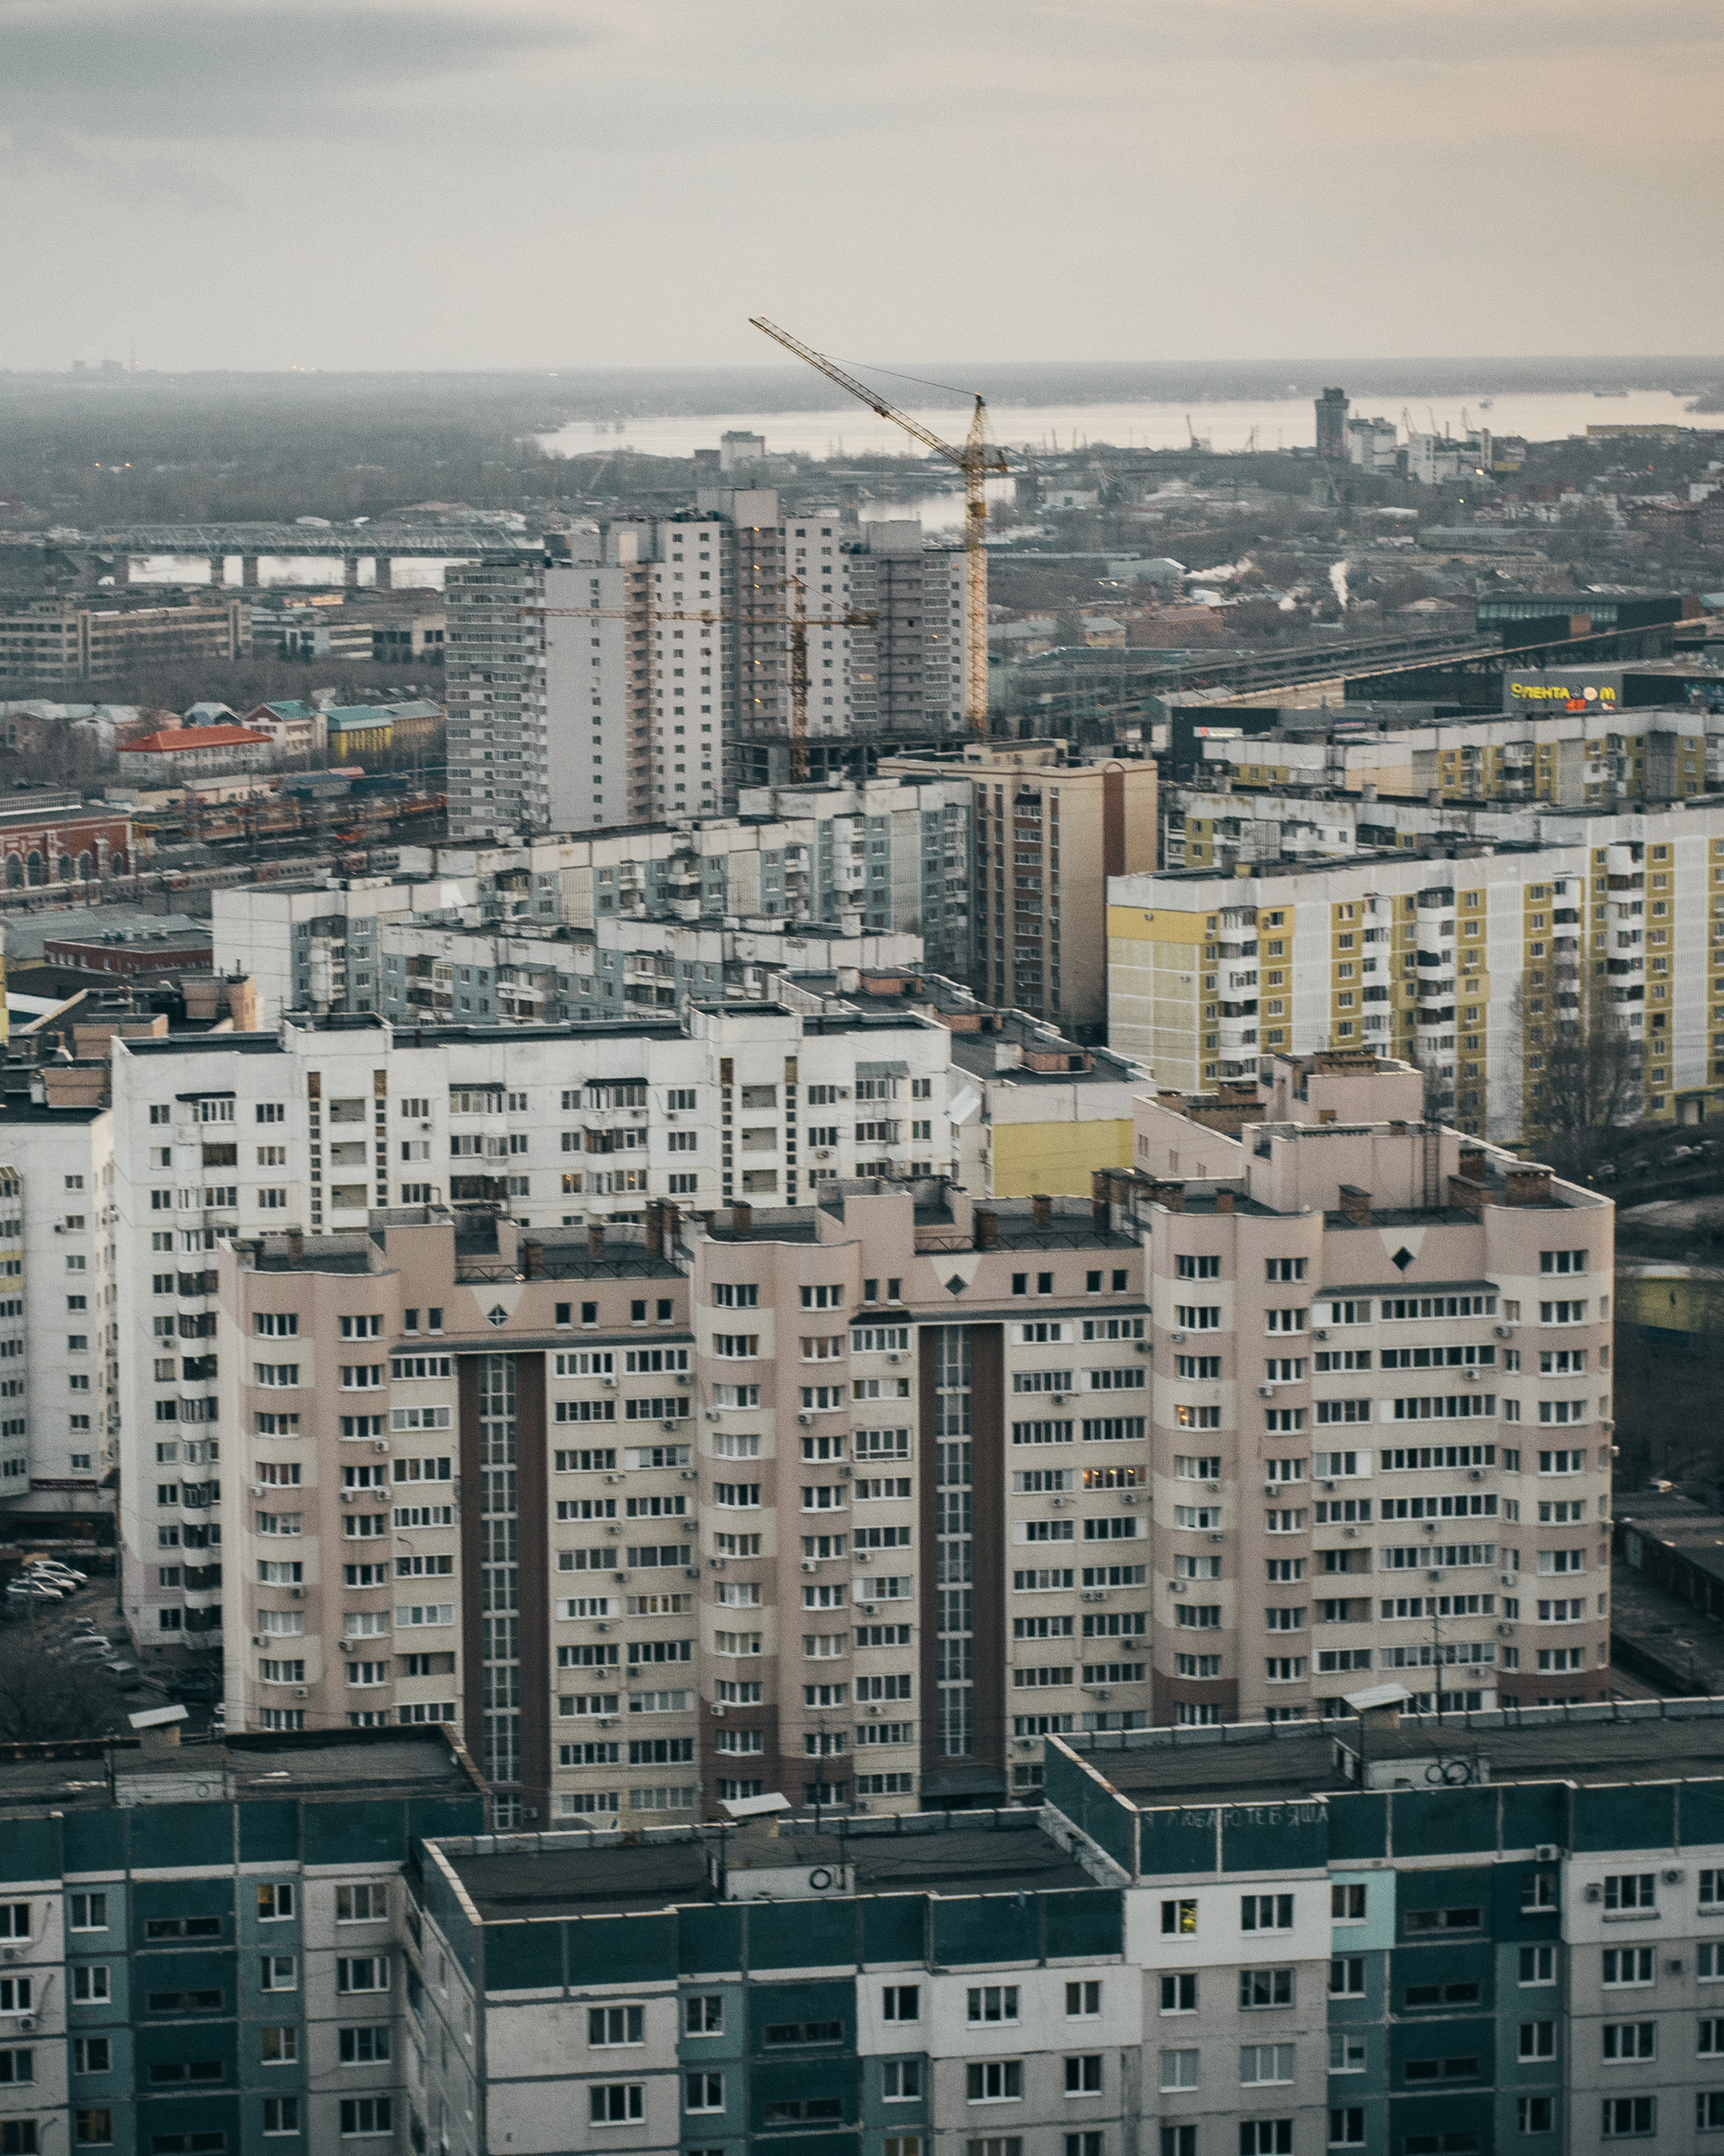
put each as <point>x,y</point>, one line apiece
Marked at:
<point>1288,424</point>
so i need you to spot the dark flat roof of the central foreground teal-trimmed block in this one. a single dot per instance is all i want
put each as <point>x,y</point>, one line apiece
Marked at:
<point>602,1877</point>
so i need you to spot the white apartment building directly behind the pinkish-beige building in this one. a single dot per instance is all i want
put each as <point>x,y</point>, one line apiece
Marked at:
<point>316,1129</point>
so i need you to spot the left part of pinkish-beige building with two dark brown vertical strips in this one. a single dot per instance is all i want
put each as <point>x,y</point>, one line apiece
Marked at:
<point>848,1502</point>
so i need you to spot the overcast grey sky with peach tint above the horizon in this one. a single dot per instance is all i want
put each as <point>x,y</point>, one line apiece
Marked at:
<point>374,184</point>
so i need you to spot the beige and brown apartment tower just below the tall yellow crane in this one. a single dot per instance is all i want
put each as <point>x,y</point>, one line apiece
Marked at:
<point>1048,835</point>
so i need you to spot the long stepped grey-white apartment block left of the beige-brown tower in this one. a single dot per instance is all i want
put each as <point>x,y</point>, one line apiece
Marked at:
<point>611,924</point>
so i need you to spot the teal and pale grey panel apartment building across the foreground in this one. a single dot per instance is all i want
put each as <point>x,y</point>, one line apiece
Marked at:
<point>1378,1935</point>
